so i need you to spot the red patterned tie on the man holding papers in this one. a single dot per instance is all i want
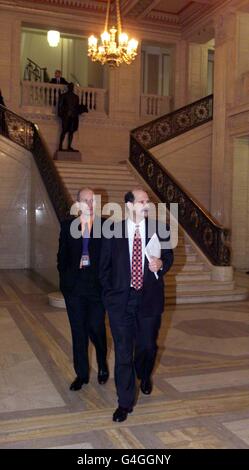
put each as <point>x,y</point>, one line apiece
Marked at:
<point>137,264</point>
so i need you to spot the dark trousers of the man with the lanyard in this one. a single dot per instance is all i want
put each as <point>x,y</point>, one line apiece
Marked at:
<point>86,315</point>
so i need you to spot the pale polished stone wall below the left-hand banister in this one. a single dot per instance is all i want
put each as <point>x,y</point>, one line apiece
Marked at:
<point>29,228</point>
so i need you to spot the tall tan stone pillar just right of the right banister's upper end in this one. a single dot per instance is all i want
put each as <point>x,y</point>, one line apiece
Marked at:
<point>224,86</point>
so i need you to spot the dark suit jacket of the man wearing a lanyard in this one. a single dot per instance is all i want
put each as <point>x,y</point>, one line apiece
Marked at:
<point>69,255</point>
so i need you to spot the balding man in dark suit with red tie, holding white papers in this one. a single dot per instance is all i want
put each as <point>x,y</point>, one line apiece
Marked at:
<point>134,299</point>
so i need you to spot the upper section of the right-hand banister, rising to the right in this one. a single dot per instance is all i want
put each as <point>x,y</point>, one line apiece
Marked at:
<point>175,123</point>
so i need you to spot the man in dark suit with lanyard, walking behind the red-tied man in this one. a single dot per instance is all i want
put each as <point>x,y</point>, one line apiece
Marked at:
<point>78,265</point>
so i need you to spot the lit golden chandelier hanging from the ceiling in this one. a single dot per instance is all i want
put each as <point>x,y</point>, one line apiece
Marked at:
<point>116,47</point>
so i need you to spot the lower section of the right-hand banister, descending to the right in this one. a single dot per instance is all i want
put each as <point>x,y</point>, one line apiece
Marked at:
<point>207,233</point>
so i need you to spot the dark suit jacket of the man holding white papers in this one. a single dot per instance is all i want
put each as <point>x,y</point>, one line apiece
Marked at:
<point>115,277</point>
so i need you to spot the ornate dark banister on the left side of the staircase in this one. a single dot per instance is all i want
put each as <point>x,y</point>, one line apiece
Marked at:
<point>26,134</point>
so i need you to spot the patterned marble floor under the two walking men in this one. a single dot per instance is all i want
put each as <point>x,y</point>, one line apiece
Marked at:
<point>200,397</point>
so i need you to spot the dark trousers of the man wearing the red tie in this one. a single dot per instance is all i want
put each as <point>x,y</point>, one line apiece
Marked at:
<point>135,348</point>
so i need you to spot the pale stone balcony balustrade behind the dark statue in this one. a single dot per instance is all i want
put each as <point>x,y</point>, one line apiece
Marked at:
<point>45,97</point>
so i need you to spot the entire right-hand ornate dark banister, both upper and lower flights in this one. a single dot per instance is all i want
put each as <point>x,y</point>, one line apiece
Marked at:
<point>207,233</point>
